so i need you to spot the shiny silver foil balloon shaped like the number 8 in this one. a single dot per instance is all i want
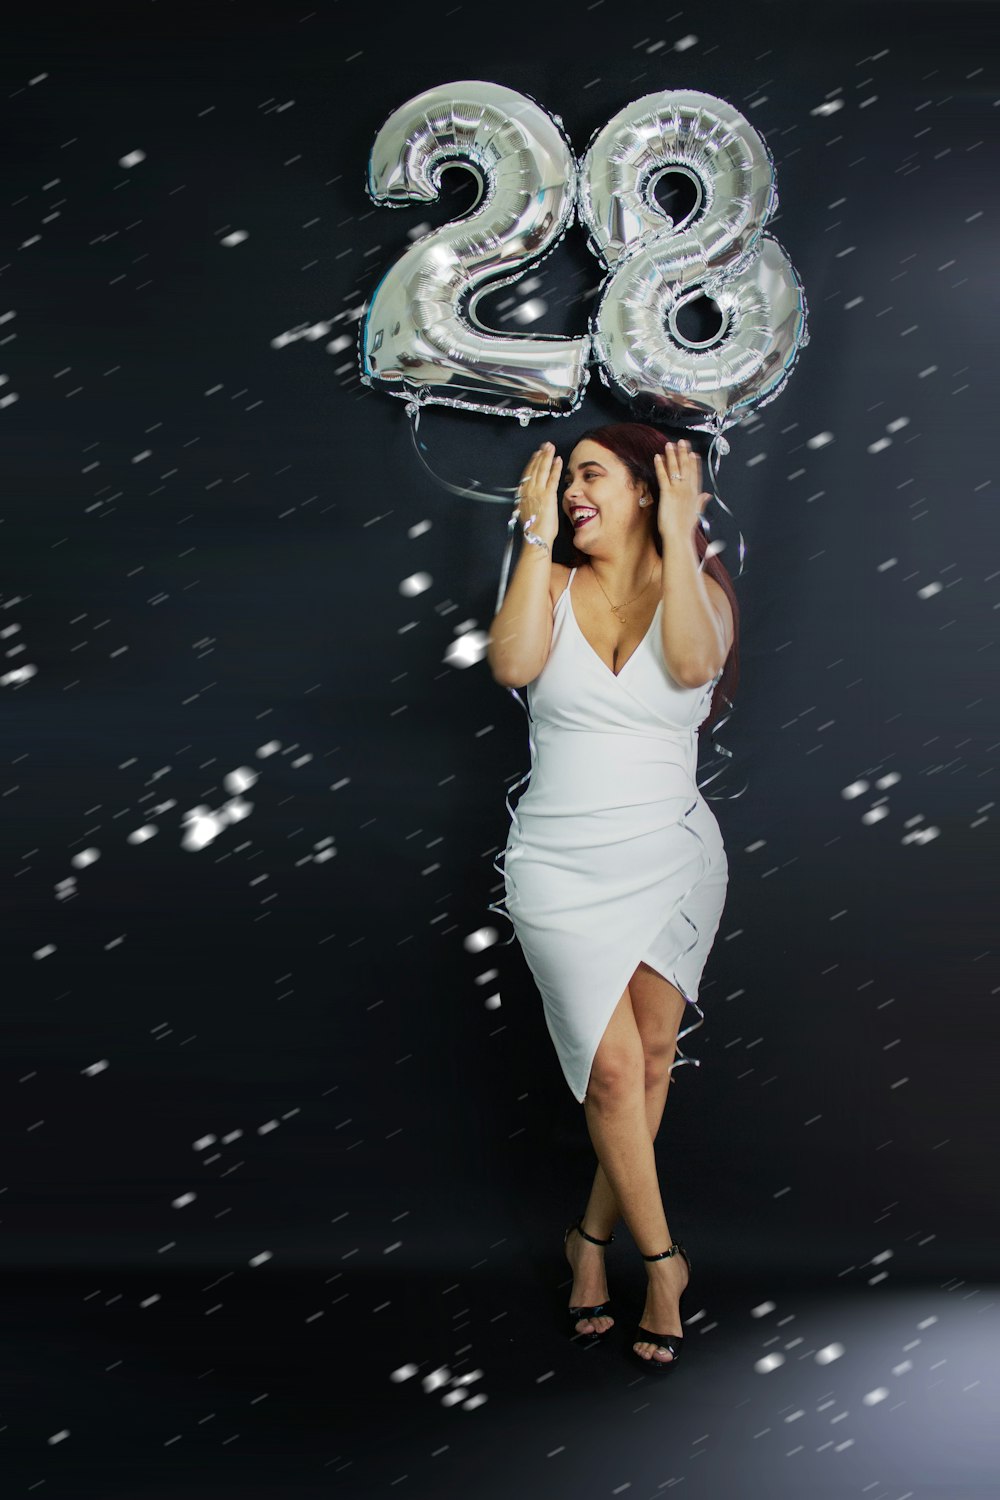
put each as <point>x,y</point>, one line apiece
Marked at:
<point>659,266</point>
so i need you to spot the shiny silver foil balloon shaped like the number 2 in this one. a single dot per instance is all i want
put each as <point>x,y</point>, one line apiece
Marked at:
<point>416,340</point>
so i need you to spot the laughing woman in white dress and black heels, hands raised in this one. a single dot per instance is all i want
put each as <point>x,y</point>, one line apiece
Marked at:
<point>615,869</point>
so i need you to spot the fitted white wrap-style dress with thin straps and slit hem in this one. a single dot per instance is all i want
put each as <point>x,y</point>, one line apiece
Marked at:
<point>614,856</point>
